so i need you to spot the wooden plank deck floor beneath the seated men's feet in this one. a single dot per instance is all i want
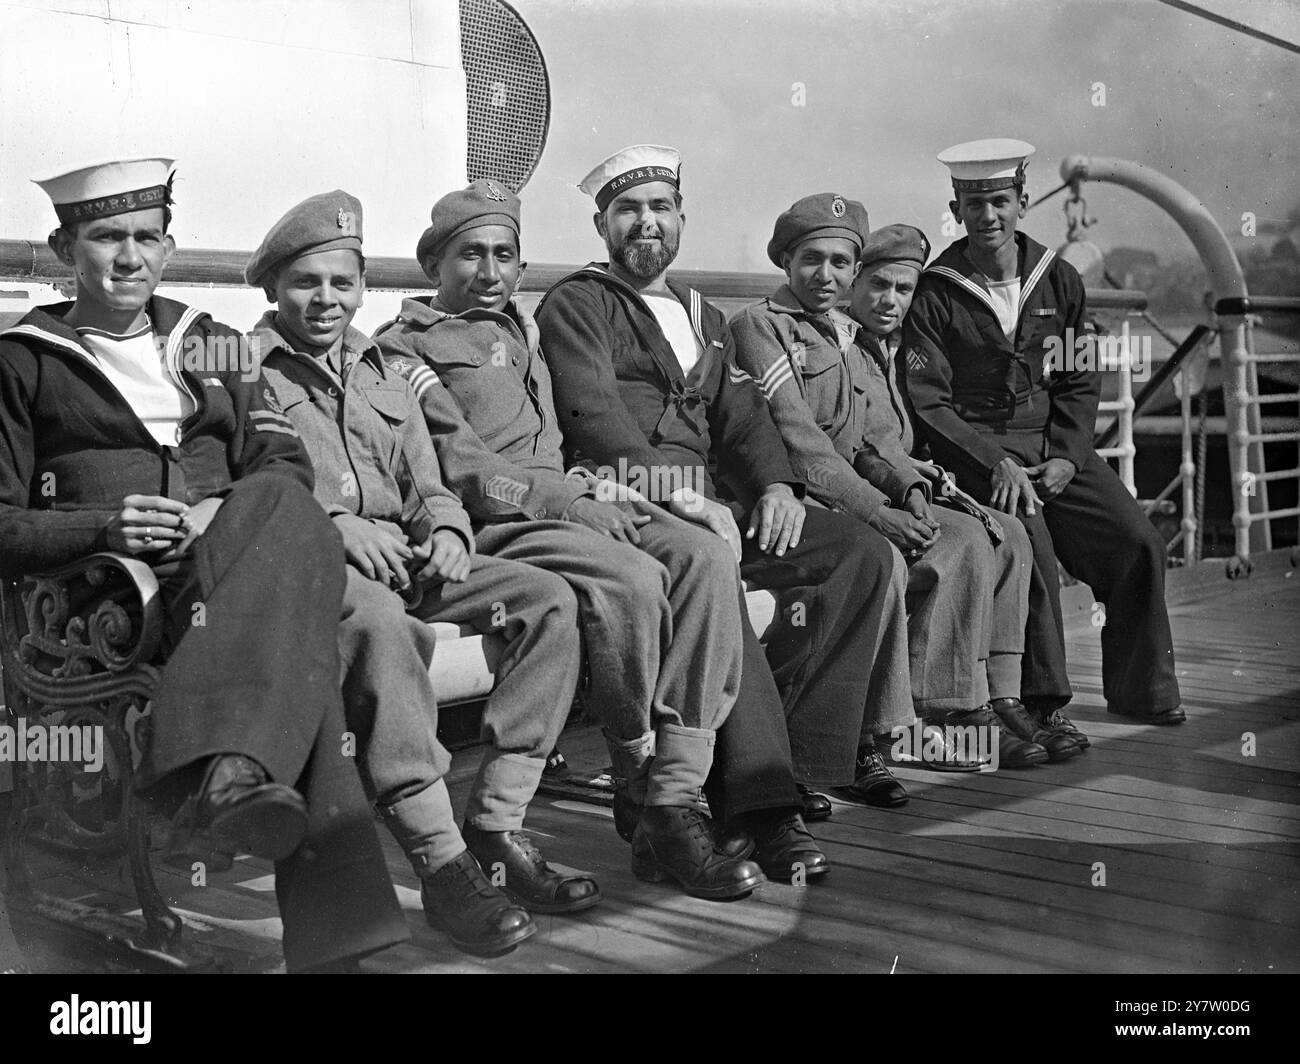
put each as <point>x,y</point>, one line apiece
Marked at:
<point>1160,850</point>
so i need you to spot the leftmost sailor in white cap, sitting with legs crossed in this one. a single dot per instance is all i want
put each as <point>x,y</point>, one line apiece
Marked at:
<point>131,429</point>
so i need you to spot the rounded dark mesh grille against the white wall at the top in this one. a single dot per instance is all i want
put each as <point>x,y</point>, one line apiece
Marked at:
<point>510,96</point>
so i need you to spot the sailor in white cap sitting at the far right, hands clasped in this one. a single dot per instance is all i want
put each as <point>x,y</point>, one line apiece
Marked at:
<point>1019,432</point>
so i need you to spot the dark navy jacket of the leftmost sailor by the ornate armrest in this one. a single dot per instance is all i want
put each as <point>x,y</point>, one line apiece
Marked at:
<point>72,448</point>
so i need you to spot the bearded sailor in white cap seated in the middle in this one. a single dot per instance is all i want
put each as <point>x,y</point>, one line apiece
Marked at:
<point>647,382</point>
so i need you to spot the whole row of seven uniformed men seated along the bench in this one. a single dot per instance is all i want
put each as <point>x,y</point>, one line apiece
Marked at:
<point>883,444</point>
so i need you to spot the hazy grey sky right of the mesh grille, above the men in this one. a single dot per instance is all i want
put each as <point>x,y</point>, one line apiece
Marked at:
<point>890,84</point>
